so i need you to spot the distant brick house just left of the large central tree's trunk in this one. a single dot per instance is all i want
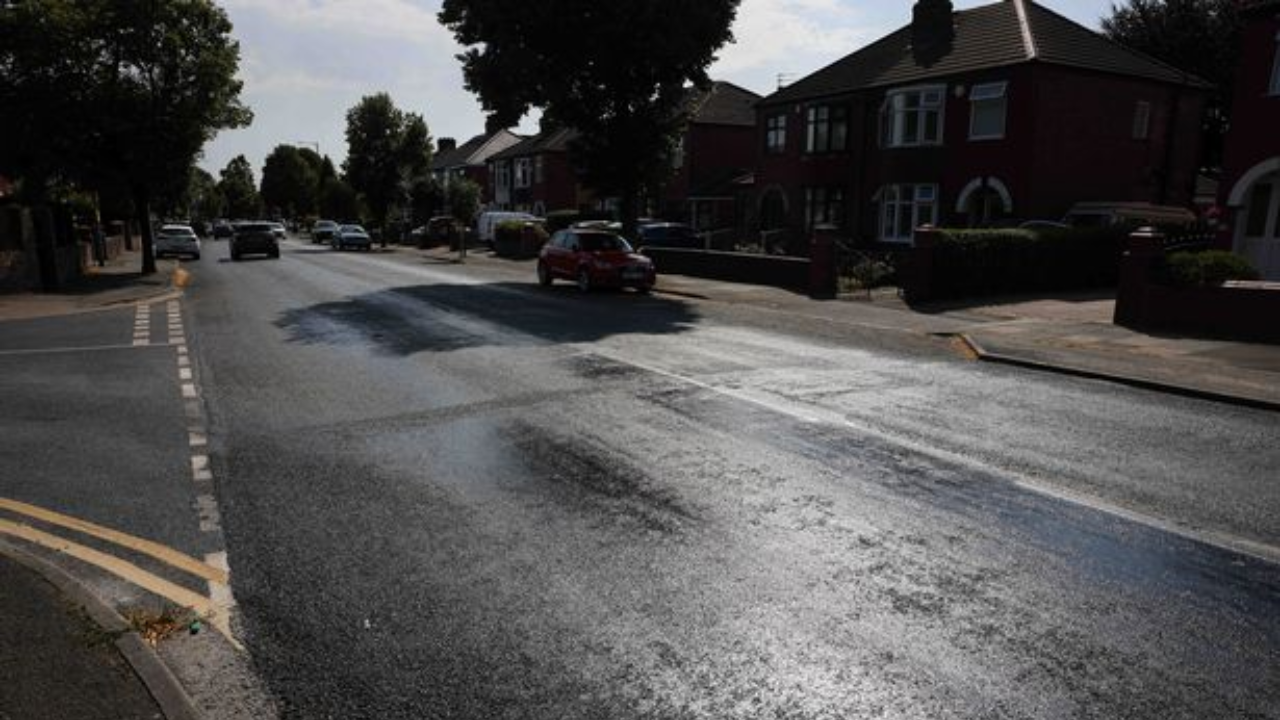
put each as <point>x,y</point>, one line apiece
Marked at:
<point>537,176</point>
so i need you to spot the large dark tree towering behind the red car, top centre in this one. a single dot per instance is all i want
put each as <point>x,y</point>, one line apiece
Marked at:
<point>620,84</point>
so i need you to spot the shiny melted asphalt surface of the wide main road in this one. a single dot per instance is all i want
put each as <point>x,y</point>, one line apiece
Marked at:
<point>449,495</point>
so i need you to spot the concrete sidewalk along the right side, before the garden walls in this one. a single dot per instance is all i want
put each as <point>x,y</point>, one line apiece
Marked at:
<point>1072,335</point>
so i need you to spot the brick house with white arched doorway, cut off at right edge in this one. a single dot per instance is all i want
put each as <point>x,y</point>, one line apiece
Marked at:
<point>1251,180</point>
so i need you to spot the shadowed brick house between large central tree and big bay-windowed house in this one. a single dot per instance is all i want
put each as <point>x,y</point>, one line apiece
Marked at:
<point>715,154</point>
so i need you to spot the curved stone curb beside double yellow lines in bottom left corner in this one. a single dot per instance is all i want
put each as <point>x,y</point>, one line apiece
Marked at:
<point>161,682</point>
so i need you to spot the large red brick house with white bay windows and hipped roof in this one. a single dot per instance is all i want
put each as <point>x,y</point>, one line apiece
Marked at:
<point>980,117</point>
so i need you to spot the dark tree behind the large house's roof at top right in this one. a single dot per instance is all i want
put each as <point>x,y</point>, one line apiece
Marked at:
<point>1199,37</point>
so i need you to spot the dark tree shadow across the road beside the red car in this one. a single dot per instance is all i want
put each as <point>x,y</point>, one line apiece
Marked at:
<point>438,318</point>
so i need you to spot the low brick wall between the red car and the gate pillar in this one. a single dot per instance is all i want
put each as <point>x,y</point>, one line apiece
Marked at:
<point>789,274</point>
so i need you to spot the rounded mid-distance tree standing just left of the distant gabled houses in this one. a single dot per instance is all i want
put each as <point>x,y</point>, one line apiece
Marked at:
<point>386,151</point>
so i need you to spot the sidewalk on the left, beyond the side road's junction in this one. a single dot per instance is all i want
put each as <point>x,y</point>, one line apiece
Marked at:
<point>120,282</point>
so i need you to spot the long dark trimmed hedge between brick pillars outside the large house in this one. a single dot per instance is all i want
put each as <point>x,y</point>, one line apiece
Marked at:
<point>998,262</point>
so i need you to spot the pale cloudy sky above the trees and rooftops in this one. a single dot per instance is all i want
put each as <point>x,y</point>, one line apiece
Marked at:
<point>307,62</point>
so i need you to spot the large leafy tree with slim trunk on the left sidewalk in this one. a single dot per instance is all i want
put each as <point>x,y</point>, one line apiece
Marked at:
<point>120,93</point>
